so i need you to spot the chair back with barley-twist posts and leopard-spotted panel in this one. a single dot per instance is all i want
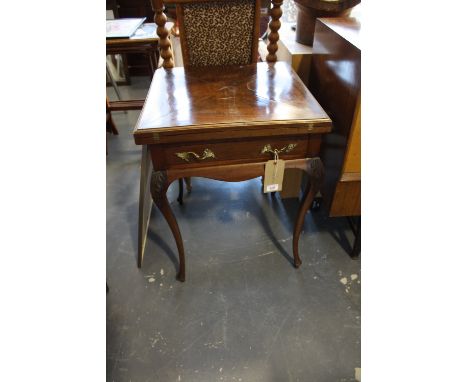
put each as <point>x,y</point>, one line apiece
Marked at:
<point>217,32</point>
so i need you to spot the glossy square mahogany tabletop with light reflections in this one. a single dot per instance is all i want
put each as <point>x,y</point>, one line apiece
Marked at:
<point>251,95</point>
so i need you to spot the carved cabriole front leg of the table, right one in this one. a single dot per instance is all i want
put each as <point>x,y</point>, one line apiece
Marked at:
<point>315,173</point>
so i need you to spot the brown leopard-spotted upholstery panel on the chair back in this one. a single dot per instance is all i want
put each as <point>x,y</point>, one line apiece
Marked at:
<point>219,33</point>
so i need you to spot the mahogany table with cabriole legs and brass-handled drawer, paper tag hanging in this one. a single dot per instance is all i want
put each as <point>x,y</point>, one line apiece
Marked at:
<point>224,124</point>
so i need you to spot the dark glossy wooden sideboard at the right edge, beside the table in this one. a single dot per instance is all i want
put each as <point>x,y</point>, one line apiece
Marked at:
<point>335,81</point>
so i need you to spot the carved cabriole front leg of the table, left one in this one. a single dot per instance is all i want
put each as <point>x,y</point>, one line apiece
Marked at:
<point>158,188</point>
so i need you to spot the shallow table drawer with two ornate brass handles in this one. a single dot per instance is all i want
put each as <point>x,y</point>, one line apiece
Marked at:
<point>231,151</point>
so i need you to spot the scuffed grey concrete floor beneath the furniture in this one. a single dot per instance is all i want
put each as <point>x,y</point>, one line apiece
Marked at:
<point>244,313</point>
